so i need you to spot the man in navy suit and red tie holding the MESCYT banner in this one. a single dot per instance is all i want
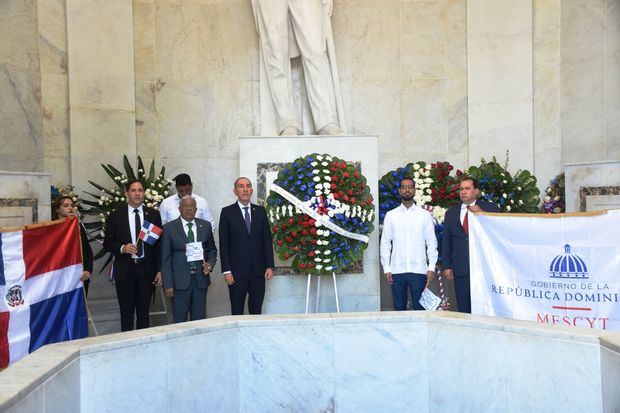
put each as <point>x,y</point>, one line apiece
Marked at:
<point>455,243</point>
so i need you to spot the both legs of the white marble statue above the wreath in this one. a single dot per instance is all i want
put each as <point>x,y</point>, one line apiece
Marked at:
<point>288,28</point>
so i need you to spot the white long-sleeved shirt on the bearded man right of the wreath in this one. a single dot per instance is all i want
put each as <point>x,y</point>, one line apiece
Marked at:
<point>408,242</point>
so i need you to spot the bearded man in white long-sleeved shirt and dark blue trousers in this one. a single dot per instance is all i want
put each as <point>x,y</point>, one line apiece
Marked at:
<point>408,248</point>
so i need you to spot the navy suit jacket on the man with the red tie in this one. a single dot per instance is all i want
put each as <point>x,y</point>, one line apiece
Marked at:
<point>455,243</point>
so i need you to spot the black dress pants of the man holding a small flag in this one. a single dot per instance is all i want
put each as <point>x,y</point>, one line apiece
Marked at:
<point>134,294</point>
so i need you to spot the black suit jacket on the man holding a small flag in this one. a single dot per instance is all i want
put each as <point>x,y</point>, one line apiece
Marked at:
<point>117,233</point>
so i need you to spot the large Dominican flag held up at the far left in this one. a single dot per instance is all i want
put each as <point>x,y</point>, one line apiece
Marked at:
<point>41,294</point>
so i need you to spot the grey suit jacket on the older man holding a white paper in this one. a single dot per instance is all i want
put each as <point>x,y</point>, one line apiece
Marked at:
<point>174,265</point>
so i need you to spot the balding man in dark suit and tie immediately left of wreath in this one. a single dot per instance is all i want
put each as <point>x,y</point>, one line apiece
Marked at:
<point>246,251</point>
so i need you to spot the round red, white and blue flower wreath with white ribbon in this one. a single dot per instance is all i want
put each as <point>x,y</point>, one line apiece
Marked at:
<point>321,212</point>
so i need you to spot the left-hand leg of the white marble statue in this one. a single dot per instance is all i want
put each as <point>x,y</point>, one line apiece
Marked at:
<point>272,19</point>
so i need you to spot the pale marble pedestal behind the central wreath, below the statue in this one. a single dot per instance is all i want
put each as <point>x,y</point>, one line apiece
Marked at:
<point>260,160</point>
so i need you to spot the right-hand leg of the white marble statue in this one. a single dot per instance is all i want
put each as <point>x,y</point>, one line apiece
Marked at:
<point>307,18</point>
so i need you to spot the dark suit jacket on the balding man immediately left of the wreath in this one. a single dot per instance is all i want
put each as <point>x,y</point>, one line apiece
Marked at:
<point>242,253</point>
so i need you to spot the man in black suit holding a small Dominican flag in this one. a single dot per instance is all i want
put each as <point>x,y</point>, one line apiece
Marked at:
<point>136,264</point>
